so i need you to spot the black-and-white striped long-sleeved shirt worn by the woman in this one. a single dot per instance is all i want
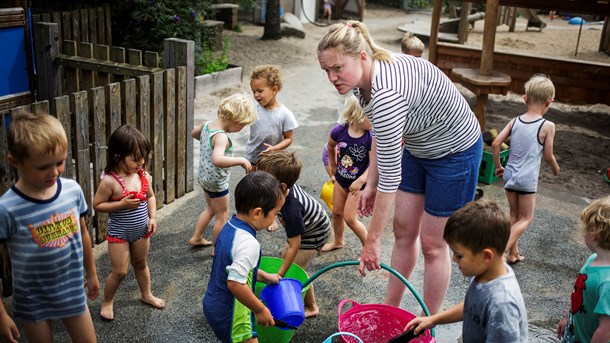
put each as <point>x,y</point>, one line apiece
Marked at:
<point>414,100</point>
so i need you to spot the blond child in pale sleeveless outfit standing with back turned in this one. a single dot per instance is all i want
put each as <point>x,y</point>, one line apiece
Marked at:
<point>531,137</point>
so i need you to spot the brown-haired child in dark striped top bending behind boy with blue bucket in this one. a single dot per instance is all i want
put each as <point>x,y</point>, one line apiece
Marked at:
<point>307,224</point>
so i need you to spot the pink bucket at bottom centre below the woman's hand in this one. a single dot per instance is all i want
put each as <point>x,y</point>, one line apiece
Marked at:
<point>376,323</point>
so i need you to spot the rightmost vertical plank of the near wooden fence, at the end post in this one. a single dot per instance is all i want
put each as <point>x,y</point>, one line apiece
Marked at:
<point>182,135</point>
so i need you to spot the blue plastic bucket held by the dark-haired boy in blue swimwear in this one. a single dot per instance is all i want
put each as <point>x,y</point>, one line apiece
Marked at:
<point>285,302</point>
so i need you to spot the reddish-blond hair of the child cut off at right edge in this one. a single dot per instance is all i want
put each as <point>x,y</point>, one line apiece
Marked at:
<point>595,220</point>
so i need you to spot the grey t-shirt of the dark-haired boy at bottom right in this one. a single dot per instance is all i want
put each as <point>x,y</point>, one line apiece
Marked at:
<point>495,311</point>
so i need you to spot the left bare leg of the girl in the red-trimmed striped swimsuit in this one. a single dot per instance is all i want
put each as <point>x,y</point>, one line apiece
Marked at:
<point>119,258</point>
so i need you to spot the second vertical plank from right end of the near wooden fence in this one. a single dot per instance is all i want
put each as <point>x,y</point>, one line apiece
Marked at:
<point>169,135</point>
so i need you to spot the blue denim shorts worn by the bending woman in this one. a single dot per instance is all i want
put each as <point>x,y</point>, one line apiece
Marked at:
<point>448,183</point>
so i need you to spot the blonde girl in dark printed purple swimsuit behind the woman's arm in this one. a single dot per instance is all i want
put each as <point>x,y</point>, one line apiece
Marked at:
<point>352,141</point>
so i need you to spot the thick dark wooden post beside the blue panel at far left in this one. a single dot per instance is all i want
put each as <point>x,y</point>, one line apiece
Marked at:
<point>46,36</point>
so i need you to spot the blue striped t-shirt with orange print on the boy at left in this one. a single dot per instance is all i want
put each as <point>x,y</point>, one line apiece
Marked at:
<point>46,251</point>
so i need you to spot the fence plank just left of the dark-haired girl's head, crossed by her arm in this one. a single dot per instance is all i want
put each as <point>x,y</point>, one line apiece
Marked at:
<point>99,139</point>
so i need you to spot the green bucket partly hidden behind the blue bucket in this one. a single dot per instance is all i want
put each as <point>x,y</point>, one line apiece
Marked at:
<point>272,265</point>
